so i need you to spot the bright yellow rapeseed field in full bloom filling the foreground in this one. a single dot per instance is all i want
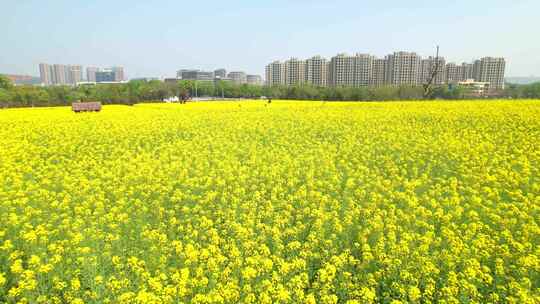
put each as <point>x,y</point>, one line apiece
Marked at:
<point>288,202</point>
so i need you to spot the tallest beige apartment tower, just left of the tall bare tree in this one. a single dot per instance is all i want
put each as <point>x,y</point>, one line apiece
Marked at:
<point>402,68</point>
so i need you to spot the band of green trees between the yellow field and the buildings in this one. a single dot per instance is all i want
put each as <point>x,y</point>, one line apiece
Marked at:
<point>157,91</point>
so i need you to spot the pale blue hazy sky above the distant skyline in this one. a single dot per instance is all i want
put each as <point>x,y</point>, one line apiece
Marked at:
<point>156,38</point>
